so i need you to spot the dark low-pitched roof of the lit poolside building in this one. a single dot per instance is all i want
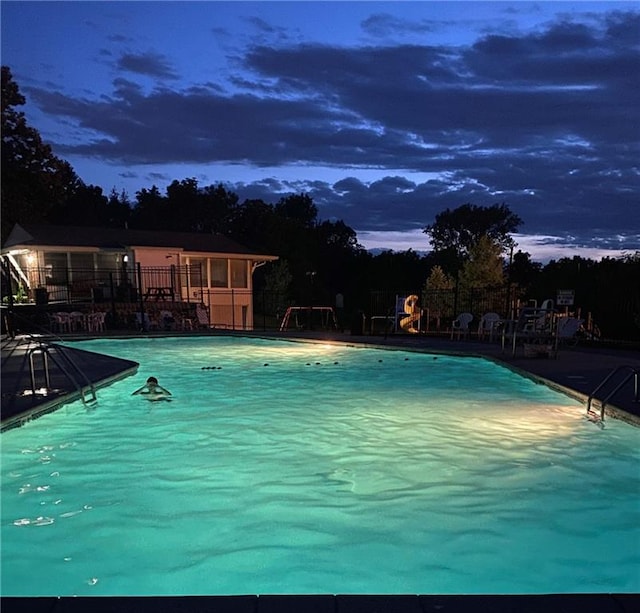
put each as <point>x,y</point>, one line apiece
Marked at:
<point>36,235</point>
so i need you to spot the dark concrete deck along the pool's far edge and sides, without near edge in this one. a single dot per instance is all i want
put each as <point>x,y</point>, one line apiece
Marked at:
<point>576,370</point>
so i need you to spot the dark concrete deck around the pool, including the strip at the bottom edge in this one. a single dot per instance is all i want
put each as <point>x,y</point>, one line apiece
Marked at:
<point>577,370</point>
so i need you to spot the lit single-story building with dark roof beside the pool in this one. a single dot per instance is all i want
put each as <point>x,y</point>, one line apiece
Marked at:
<point>75,263</point>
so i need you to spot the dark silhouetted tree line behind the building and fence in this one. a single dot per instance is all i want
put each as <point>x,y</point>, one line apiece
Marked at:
<point>472,246</point>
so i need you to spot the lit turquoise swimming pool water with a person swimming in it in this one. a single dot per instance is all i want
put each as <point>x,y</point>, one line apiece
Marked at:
<point>300,468</point>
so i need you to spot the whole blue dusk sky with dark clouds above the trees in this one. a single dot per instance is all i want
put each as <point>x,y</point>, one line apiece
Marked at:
<point>385,113</point>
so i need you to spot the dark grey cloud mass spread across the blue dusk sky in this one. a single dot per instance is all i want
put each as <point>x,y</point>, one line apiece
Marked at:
<point>546,122</point>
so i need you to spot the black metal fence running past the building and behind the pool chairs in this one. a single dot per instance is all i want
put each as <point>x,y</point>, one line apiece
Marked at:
<point>617,319</point>
